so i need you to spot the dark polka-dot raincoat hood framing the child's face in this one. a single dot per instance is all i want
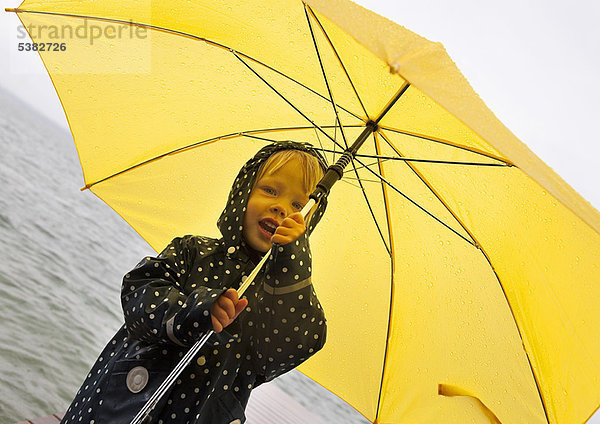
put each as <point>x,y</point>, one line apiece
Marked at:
<point>230,221</point>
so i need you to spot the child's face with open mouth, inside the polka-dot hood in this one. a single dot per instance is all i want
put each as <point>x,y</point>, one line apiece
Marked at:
<point>274,196</point>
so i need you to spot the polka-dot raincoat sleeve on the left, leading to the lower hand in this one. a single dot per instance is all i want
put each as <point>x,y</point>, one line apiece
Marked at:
<point>157,309</point>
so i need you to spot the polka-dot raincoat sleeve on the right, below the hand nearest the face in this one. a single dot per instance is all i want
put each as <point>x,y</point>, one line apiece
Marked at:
<point>290,323</point>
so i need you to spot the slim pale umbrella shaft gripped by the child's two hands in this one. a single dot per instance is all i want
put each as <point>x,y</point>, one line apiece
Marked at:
<point>189,356</point>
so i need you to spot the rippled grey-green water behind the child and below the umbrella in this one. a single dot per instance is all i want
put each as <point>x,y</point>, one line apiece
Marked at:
<point>64,254</point>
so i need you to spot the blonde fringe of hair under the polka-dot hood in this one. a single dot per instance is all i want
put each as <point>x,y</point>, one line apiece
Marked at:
<point>310,164</point>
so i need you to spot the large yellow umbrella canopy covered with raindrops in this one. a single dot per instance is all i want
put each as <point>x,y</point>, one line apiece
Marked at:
<point>459,274</point>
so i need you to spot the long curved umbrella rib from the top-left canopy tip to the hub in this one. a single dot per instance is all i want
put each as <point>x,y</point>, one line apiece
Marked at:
<point>195,37</point>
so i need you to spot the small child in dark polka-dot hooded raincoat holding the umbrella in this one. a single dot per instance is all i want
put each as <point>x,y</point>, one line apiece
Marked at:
<point>171,300</point>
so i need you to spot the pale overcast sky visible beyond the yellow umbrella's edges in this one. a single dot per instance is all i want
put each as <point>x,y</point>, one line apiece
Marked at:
<point>536,64</point>
